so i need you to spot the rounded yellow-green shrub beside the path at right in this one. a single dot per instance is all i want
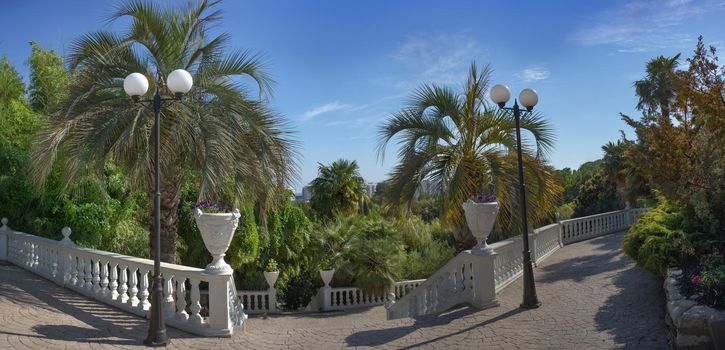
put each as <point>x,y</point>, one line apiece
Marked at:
<point>655,241</point>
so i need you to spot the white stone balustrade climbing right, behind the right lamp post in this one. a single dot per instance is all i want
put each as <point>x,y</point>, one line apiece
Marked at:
<point>449,285</point>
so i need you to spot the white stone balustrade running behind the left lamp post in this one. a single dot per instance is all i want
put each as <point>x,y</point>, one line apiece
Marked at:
<point>123,281</point>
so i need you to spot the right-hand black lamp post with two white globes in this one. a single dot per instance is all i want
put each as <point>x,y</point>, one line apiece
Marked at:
<point>500,94</point>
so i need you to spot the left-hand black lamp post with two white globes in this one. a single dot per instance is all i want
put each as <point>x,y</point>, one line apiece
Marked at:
<point>136,85</point>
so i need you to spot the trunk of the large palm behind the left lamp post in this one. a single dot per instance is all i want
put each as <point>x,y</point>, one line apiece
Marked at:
<point>170,198</point>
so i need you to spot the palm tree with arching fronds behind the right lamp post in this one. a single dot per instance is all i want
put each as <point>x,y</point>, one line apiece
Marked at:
<point>463,145</point>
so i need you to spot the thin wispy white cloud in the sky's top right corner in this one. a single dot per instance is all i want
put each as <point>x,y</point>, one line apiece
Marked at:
<point>646,25</point>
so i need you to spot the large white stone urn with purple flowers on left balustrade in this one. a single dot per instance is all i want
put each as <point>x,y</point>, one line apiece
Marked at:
<point>217,231</point>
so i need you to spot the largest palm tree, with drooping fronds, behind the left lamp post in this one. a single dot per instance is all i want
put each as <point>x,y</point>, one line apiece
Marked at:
<point>221,129</point>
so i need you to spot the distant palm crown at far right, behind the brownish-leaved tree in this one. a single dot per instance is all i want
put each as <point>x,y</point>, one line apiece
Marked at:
<point>657,89</point>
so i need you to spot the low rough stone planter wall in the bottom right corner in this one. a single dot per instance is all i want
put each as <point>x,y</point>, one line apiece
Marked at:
<point>691,326</point>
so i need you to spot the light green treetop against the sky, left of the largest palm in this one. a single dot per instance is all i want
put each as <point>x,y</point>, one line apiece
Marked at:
<point>48,79</point>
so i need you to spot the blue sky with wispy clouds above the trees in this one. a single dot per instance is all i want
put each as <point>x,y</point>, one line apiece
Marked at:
<point>343,67</point>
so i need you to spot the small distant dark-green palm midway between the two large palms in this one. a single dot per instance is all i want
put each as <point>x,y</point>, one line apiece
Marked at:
<point>338,189</point>
